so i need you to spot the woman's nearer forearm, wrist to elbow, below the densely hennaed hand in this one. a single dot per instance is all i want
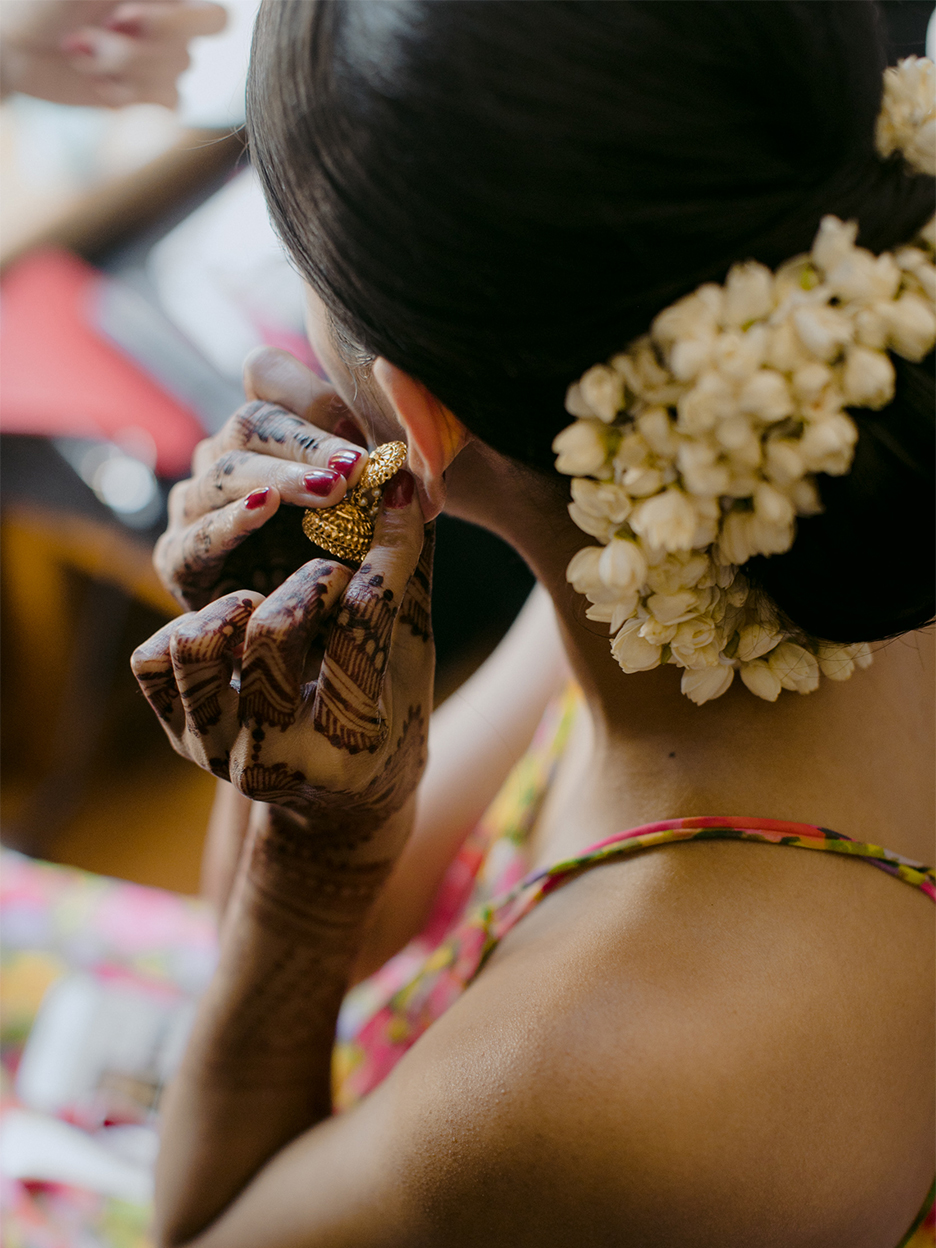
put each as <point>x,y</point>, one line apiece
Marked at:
<point>258,1070</point>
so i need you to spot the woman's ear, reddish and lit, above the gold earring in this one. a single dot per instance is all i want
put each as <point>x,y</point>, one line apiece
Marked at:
<point>435,436</point>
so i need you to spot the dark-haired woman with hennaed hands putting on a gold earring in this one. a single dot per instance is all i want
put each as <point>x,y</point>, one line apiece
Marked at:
<point>714,1043</point>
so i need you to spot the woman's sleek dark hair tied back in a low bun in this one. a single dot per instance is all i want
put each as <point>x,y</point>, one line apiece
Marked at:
<point>496,197</point>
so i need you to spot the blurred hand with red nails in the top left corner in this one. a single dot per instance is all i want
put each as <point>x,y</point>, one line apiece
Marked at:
<point>99,53</point>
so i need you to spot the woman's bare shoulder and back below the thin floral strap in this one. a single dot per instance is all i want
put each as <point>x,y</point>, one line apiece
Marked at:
<point>653,1059</point>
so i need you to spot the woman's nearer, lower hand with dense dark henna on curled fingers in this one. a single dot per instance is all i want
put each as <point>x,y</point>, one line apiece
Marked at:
<point>335,681</point>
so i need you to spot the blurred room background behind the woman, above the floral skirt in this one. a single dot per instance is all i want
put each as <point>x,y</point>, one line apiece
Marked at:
<point>139,269</point>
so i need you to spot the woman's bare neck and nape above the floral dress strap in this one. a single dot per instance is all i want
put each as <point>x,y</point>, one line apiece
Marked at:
<point>856,757</point>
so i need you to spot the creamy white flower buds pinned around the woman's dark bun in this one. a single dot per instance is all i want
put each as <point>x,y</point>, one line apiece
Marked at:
<point>698,447</point>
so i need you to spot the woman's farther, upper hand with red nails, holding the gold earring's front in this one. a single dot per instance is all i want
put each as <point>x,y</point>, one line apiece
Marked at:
<point>295,444</point>
